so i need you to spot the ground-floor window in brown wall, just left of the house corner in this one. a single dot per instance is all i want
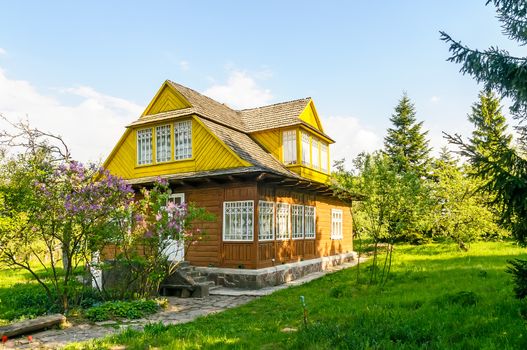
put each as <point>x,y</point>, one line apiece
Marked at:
<point>238,221</point>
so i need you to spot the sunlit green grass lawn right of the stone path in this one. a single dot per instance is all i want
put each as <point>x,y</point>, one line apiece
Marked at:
<point>438,298</point>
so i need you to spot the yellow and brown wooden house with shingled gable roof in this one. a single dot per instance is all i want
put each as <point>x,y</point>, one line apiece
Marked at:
<point>262,171</point>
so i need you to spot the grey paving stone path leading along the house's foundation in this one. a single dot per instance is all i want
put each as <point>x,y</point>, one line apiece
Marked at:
<point>180,310</point>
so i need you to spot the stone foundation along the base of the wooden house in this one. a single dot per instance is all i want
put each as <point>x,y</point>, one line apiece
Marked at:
<point>271,276</point>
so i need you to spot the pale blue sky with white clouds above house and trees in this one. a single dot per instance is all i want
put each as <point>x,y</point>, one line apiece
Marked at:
<point>86,69</point>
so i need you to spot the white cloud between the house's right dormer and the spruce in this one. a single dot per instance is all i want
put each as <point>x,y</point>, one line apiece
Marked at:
<point>351,138</point>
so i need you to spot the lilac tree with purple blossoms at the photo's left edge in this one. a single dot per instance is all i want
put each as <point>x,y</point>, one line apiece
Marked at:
<point>55,217</point>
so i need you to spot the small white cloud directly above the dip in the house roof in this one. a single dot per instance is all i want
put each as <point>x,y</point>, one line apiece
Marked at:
<point>240,91</point>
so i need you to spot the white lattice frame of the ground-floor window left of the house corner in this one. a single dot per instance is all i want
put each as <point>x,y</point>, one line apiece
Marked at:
<point>243,236</point>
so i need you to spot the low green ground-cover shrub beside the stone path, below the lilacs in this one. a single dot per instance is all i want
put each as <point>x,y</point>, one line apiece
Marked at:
<point>122,310</point>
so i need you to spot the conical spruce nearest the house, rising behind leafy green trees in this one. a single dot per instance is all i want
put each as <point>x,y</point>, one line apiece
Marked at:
<point>406,143</point>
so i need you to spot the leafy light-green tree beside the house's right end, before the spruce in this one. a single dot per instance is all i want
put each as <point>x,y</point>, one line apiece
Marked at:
<point>386,194</point>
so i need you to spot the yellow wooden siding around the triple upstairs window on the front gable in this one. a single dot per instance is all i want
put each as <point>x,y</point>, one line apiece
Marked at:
<point>208,153</point>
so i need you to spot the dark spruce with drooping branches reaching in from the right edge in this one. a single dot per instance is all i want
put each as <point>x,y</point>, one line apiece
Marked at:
<point>504,170</point>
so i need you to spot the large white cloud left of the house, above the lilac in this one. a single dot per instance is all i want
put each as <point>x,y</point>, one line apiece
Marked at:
<point>90,127</point>
